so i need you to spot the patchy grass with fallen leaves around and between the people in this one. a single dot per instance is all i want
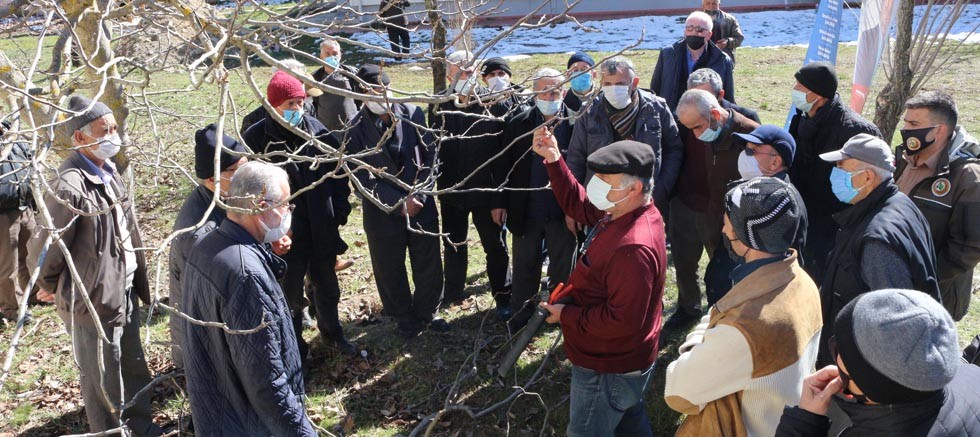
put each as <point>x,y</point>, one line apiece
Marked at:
<point>399,382</point>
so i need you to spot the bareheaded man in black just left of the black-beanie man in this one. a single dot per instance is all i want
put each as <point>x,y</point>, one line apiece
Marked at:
<point>469,129</point>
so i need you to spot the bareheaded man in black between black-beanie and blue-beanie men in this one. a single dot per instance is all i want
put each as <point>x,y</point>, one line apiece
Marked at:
<point>534,216</point>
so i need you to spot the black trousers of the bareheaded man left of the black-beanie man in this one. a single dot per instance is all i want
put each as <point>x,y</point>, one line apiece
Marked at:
<point>455,222</point>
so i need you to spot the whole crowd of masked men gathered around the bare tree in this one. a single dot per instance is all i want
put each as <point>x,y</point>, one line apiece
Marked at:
<point>837,264</point>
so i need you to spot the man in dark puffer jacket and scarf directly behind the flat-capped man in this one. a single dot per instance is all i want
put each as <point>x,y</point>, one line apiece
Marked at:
<point>622,111</point>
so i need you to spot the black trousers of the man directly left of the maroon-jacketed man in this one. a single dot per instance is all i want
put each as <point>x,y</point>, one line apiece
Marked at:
<point>560,244</point>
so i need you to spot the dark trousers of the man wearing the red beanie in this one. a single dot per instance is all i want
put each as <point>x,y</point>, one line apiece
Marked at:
<point>313,253</point>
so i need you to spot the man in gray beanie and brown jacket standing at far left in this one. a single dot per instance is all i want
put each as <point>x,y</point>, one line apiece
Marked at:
<point>92,210</point>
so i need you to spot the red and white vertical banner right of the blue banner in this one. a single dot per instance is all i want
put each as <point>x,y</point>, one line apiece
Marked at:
<point>873,33</point>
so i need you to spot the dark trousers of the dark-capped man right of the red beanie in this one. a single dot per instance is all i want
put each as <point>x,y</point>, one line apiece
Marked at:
<point>387,250</point>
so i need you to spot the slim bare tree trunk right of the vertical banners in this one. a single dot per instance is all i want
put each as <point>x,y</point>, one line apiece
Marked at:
<point>890,102</point>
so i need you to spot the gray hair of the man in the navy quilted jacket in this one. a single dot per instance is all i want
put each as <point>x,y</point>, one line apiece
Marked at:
<point>254,182</point>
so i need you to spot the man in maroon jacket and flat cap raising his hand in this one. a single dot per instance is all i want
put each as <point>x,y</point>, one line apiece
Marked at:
<point>610,316</point>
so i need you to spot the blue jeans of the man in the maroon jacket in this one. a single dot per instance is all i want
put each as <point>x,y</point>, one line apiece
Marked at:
<point>605,404</point>
